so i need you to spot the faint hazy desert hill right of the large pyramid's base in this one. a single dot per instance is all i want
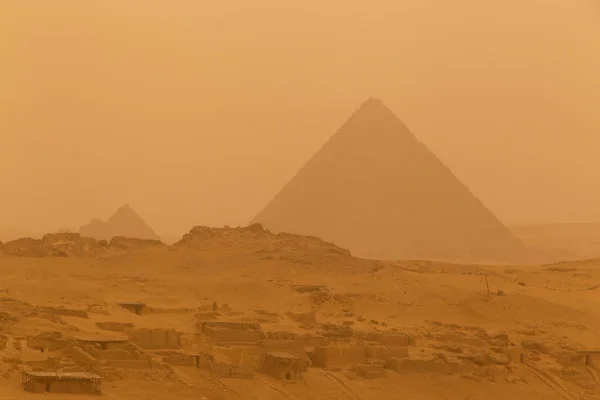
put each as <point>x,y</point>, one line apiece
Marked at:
<point>560,241</point>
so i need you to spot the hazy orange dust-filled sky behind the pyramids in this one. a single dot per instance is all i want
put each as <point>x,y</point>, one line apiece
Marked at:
<point>197,112</point>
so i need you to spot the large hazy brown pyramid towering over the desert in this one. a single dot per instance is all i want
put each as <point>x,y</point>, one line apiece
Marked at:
<point>374,189</point>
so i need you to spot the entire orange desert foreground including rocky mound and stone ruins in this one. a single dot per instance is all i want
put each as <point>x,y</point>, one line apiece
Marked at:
<point>354,328</point>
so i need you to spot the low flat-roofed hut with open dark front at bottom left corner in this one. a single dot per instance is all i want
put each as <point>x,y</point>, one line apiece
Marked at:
<point>65,382</point>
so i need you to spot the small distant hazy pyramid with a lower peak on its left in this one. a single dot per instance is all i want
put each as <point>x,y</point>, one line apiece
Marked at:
<point>125,222</point>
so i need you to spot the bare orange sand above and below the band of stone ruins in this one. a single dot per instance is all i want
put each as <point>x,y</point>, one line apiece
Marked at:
<point>440,304</point>
